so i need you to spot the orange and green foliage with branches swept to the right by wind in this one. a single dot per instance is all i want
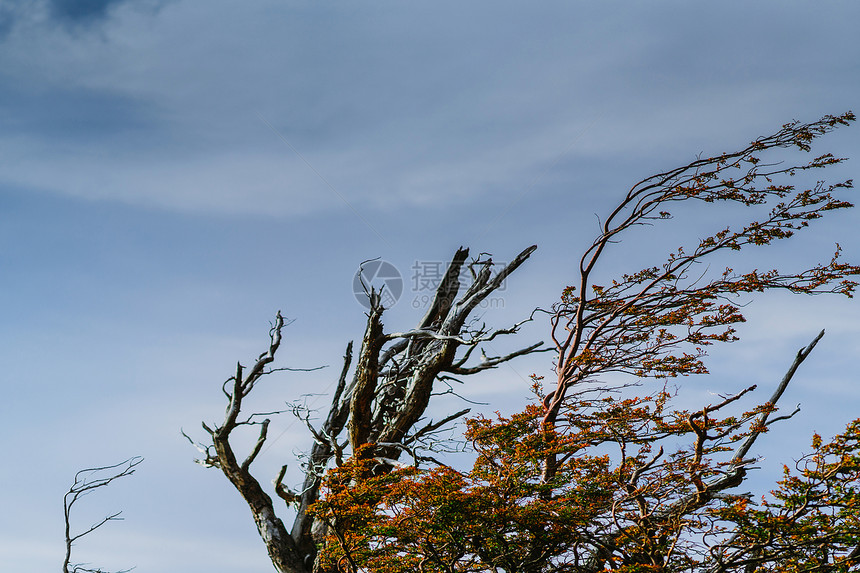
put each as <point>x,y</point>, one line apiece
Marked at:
<point>589,477</point>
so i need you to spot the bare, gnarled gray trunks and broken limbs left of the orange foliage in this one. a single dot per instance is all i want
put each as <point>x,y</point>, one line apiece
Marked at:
<point>390,390</point>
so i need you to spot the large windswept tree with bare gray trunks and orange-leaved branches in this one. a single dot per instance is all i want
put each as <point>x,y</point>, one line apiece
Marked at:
<point>595,473</point>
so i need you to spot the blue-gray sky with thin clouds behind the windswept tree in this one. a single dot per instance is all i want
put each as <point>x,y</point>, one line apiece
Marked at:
<point>174,172</point>
